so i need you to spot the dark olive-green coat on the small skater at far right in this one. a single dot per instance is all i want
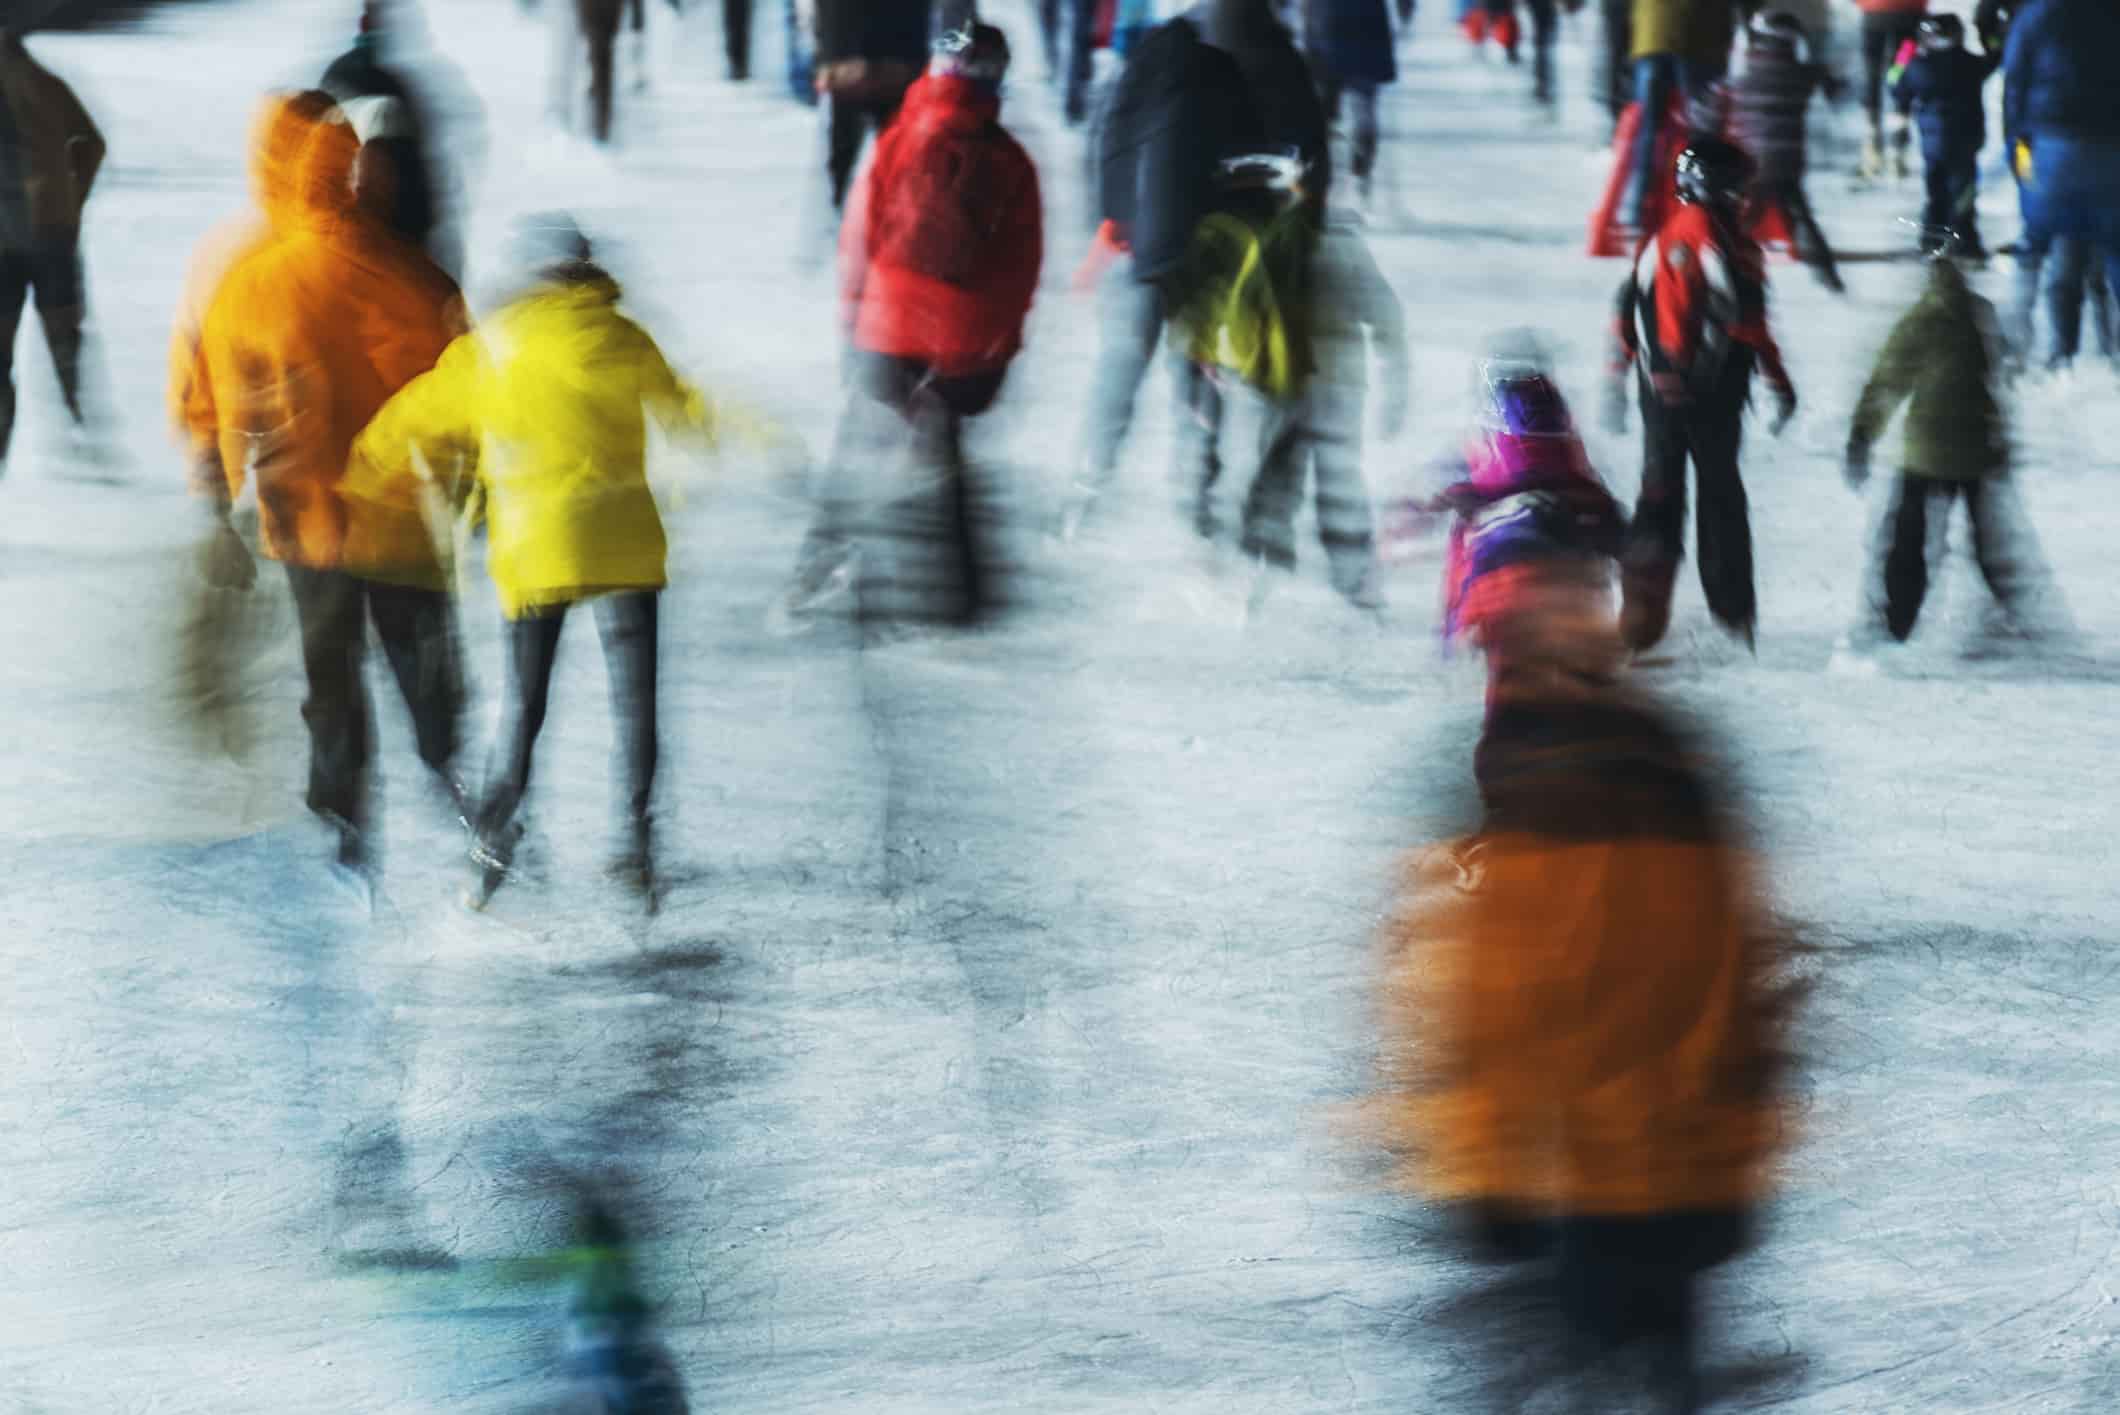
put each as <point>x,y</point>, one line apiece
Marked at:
<point>1943,357</point>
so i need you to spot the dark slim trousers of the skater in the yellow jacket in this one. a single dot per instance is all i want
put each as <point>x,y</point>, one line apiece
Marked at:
<point>629,627</point>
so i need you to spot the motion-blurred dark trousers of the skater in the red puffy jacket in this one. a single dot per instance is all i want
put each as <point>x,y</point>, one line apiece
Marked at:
<point>891,400</point>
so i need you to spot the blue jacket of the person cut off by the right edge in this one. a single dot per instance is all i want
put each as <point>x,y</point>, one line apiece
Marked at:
<point>2062,71</point>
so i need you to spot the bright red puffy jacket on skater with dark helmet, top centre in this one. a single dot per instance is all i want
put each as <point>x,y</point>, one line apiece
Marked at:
<point>944,237</point>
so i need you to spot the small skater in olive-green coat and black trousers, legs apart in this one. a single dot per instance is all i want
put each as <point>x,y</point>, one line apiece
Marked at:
<point>1945,364</point>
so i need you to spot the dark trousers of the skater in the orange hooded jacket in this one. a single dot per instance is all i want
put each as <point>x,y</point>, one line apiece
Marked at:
<point>419,635</point>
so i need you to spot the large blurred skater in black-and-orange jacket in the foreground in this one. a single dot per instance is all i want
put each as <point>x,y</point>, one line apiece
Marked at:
<point>1578,1005</point>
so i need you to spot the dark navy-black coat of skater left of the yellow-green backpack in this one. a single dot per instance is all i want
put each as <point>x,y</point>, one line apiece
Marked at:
<point>1180,109</point>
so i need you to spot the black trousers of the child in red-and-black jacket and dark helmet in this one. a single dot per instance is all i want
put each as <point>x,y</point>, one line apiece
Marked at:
<point>1708,436</point>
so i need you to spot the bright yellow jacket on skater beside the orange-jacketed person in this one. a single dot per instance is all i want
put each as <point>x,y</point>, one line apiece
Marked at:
<point>548,408</point>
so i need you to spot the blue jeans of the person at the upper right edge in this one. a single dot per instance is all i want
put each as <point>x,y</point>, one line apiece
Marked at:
<point>2074,194</point>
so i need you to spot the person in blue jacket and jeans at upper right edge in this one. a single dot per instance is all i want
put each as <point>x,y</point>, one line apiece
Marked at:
<point>2062,128</point>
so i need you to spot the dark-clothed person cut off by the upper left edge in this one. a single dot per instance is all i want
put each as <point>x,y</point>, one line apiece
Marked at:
<point>50,154</point>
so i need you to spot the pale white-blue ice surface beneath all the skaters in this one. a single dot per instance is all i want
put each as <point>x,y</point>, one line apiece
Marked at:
<point>1050,1125</point>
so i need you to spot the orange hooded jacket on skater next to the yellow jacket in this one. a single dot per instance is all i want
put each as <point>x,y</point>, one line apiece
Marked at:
<point>302,343</point>
